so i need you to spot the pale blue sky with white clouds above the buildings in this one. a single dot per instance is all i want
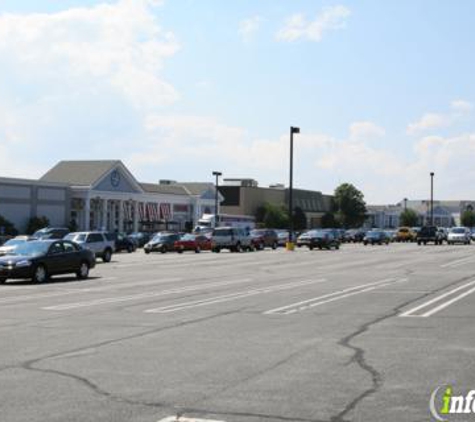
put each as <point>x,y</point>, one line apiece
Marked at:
<point>383,91</point>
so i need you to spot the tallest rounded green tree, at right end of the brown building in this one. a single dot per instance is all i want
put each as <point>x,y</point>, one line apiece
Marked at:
<point>350,205</point>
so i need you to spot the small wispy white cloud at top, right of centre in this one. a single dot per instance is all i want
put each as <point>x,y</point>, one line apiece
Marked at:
<point>298,28</point>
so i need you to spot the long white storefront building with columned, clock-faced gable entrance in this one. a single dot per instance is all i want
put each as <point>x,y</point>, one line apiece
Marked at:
<point>104,195</point>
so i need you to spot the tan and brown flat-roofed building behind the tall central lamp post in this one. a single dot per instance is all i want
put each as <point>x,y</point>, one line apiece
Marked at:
<point>244,197</point>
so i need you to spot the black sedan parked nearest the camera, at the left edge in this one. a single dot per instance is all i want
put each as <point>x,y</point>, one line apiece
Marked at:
<point>38,260</point>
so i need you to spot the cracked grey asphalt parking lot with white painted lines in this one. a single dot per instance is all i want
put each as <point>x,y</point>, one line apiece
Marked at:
<point>359,334</point>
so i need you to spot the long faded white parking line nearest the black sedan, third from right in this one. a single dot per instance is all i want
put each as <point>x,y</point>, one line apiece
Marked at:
<point>139,296</point>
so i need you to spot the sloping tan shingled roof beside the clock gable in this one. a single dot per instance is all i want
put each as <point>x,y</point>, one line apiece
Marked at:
<point>79,173</point>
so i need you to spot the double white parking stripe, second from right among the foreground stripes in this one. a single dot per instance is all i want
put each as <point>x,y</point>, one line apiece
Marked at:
<point>332,297</point>
